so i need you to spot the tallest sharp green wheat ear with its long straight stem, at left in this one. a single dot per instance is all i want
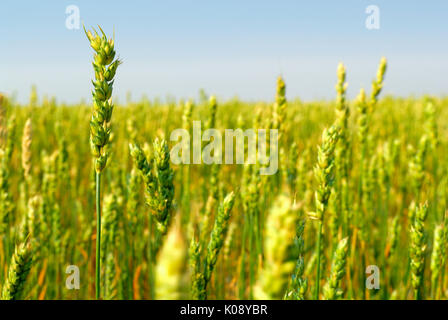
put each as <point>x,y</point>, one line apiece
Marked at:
<point>105,68</point>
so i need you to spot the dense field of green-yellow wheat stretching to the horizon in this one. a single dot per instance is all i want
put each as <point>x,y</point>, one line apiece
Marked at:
<point>356,209</point>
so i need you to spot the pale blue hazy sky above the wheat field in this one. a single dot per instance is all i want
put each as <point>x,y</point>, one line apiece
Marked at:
<point>226,47</point>
